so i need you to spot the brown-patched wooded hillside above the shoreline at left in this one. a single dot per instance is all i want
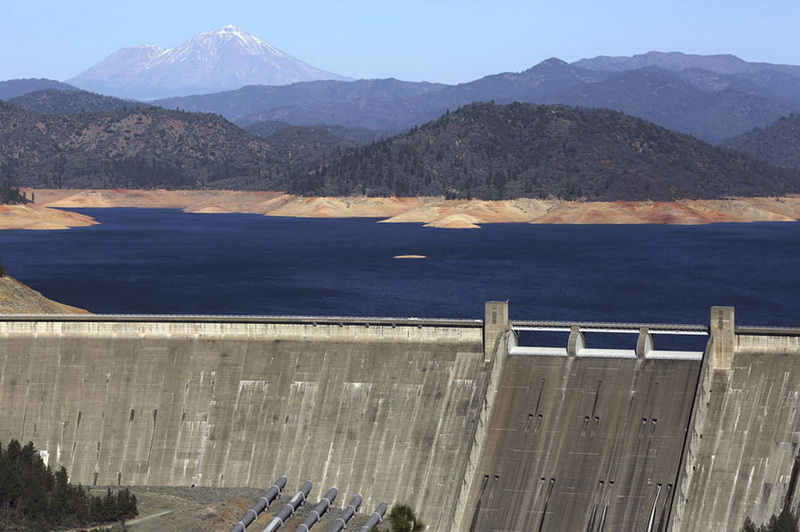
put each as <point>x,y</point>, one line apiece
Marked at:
<point>135,148</point>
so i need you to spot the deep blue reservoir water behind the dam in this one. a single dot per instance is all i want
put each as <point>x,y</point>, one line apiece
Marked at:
<point>166,261</point>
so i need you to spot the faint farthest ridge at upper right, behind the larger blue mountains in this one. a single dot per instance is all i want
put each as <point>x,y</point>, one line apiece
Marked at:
<point>677,61</point>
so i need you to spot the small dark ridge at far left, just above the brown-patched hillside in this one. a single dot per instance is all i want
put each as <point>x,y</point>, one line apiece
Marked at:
<point>54,101</point>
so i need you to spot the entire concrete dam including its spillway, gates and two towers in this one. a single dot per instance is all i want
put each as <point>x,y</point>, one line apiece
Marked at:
<point>480,425</point>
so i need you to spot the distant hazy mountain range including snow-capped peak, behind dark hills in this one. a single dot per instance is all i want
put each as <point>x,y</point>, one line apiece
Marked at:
<point>714,98</point>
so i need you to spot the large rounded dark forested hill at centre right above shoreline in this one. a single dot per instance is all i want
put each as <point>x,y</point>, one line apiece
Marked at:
<point>490,151</point>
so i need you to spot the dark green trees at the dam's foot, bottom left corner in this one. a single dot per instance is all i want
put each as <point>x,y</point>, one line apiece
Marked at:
<point>34,498</point>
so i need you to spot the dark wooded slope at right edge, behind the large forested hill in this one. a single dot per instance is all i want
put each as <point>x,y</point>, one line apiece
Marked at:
<point>777,144</point>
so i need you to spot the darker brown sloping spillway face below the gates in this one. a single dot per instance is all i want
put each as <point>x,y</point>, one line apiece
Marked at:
<point>584,444</point>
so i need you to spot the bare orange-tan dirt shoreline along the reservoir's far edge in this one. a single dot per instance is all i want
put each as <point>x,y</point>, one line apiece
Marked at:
<point>430,211</point>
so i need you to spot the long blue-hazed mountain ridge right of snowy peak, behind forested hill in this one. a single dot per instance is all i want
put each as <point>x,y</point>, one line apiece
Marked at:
<point>709,105</point>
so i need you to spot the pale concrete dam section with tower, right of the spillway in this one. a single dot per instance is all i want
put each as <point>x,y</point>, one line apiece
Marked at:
<point>742,456</point>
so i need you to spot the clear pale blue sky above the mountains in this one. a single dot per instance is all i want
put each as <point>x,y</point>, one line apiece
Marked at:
<point>437,40</point>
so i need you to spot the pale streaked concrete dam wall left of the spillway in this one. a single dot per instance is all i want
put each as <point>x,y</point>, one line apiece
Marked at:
<point>385,409</point>
